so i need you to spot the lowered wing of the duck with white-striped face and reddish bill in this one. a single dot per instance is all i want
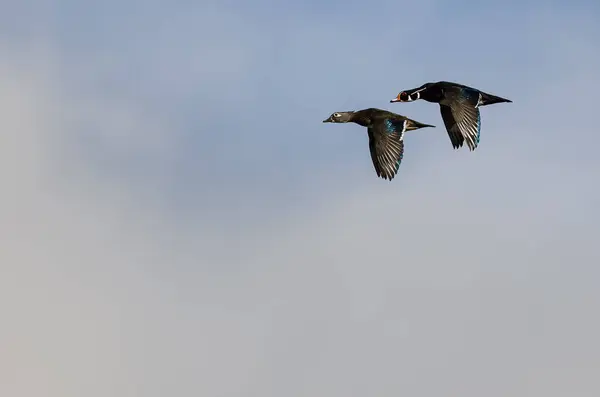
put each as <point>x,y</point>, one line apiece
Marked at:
<point>463,123</point>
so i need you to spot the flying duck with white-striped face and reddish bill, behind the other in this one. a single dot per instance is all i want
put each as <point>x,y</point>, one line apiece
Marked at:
<point>459,105</point>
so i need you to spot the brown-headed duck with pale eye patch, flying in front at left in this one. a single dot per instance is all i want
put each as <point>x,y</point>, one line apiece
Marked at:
<point>386,136</point>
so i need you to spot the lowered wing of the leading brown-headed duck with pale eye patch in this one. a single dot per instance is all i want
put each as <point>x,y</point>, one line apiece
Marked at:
<point>387,146</point>
